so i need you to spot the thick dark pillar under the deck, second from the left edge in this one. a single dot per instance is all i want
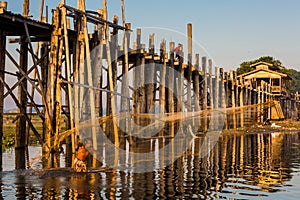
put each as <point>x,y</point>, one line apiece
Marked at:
<point>20,145</point>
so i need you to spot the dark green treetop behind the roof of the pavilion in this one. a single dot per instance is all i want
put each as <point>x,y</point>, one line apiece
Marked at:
<point>245,66</point>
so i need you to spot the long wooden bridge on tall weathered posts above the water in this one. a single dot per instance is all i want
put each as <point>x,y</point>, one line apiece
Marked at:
<point>91,76</point>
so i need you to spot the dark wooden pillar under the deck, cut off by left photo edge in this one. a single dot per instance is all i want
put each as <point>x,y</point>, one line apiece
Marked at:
<point>2,76</point>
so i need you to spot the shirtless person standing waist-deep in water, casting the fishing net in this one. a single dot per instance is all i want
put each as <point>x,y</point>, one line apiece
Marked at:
<point>80,160</point>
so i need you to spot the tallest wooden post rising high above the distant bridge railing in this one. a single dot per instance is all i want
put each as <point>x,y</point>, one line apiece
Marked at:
<point>189,69</point>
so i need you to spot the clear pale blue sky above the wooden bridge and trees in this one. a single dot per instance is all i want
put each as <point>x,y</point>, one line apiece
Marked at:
<point>228,32</point>
